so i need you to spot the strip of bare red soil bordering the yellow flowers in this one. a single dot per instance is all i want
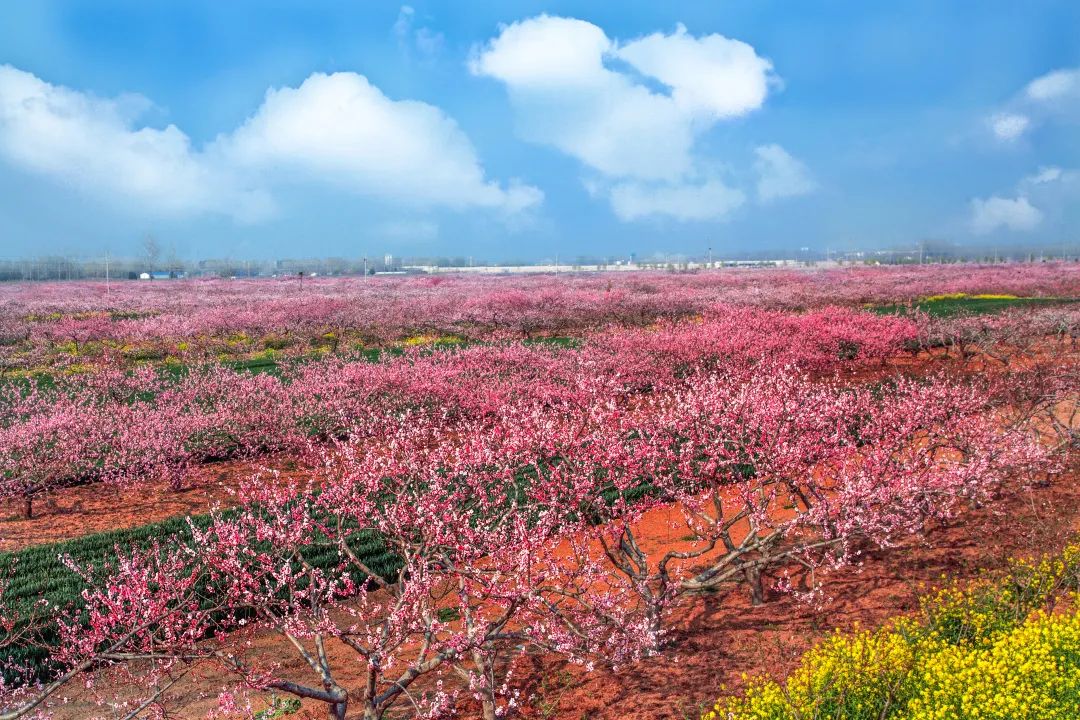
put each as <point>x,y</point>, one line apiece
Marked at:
<point>720,637</point>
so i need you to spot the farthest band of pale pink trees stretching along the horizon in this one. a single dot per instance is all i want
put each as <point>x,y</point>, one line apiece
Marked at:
<point>58,322</point>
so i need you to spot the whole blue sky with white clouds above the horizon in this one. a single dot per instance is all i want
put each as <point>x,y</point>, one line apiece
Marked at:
<point>523,130</point>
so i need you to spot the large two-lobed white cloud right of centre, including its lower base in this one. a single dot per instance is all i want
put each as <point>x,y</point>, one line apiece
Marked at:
<point>630,112</point>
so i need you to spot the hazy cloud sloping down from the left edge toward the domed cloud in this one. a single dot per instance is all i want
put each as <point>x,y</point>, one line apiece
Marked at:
<point>96,145</point>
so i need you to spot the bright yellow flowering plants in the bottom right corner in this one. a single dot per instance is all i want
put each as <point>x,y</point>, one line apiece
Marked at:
<point>994,651</point>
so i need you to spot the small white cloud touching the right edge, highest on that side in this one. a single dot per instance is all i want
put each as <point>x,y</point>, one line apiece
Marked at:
<point>1055,97</point>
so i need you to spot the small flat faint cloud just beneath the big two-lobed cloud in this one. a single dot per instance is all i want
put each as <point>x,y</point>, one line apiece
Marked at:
<point>711,200</point>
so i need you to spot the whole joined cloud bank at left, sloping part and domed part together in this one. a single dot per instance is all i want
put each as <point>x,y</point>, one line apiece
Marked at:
<point>339,130</point>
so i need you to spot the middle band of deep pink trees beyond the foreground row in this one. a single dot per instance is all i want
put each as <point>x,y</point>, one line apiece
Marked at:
<point>127,427</point>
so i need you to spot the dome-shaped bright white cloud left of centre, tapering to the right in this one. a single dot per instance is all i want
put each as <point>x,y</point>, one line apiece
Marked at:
<point>341,129</point>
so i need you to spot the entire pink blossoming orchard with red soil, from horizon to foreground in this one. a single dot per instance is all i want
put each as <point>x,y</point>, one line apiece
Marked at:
<point>533,497</point>
